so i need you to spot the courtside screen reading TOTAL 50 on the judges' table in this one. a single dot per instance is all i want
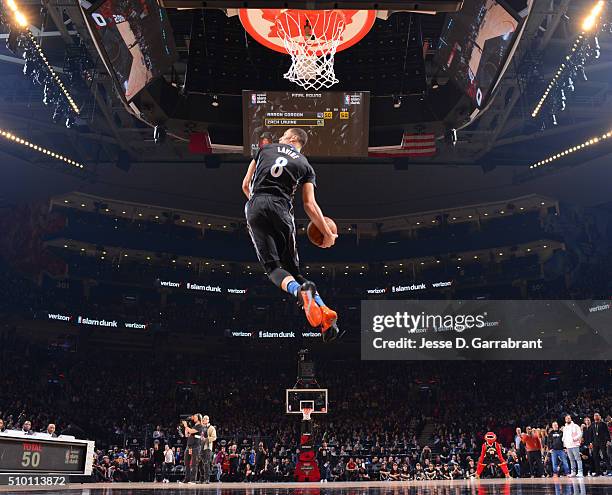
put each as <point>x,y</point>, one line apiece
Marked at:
<point>25,455</point>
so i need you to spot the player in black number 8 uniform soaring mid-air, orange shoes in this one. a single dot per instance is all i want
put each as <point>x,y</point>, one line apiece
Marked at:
<point>270,184</point>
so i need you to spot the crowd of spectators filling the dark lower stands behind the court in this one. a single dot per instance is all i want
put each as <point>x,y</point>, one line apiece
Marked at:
<point>387,421</point>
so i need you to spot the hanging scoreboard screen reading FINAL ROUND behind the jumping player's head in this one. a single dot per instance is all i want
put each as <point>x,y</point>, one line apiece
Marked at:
<point>337,123</point>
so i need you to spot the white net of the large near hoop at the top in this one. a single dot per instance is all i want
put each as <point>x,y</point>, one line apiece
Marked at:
<point>311,38</point>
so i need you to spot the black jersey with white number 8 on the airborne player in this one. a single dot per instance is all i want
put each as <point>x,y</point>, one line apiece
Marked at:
<point>280,169</point>
